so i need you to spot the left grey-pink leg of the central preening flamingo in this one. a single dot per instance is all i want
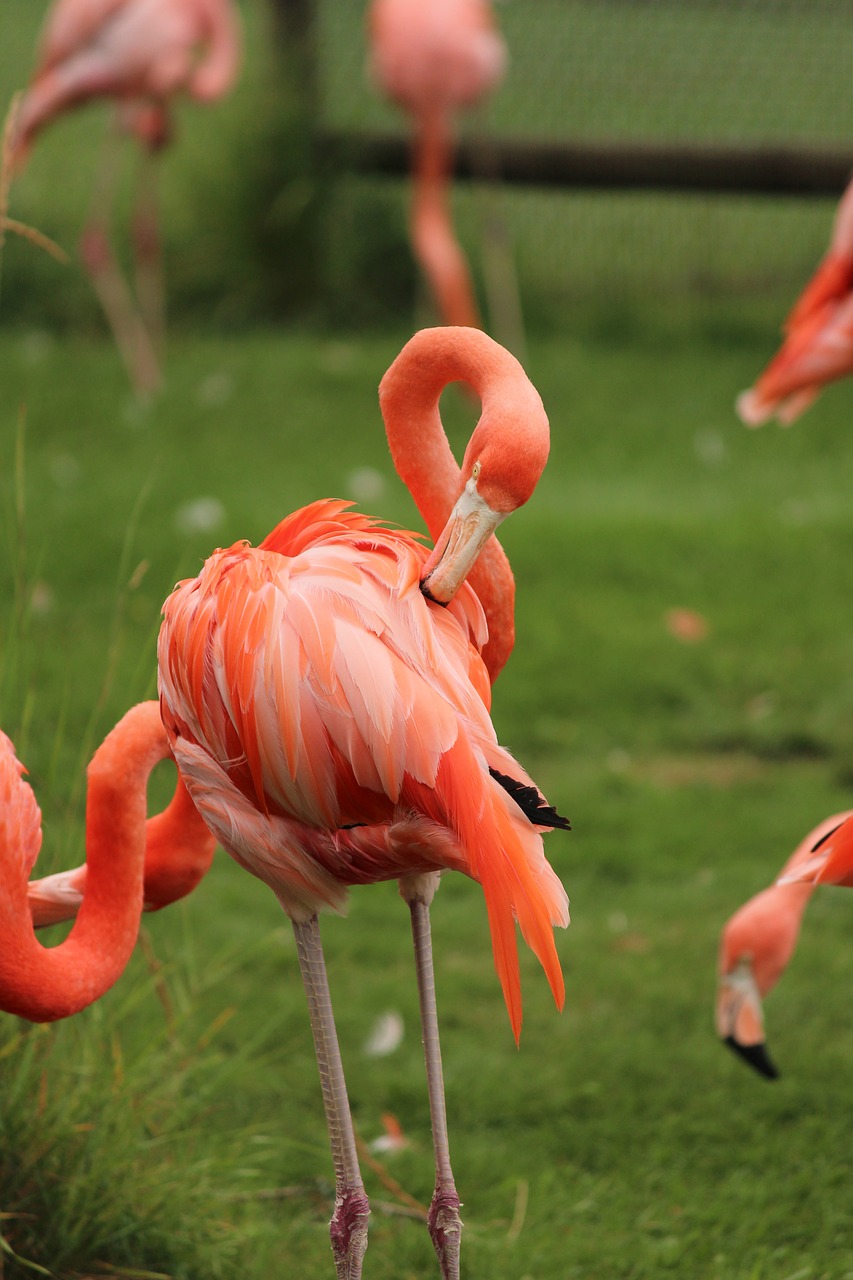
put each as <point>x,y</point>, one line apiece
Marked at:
<point>349,1227</point>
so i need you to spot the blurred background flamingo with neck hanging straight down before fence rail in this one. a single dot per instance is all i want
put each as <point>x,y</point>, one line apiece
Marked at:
<point>432,58</point>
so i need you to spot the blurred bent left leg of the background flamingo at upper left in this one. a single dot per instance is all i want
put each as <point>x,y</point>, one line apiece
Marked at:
<point>113,294</point>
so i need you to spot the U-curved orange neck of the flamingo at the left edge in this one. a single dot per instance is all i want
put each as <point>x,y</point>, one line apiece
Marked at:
<point>42,984</point>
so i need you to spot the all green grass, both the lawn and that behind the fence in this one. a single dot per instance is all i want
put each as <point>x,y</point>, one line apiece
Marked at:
<point>176,1130</point>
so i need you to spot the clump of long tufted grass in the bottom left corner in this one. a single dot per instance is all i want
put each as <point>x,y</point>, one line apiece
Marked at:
<point>107,1163</point>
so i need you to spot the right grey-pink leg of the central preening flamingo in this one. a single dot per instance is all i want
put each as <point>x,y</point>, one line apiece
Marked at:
<point>445,1222</point>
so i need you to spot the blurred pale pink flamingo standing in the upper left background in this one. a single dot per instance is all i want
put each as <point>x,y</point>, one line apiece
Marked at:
<point>140,54</point>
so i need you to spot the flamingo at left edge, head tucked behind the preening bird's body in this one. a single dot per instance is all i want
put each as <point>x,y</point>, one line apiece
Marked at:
<point>47,984</point>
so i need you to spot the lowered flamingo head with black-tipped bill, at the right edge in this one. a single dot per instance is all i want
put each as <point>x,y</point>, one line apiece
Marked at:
<point>756,948</point>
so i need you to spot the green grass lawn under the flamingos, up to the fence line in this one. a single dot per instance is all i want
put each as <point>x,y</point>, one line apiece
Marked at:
<point>621,1141</point>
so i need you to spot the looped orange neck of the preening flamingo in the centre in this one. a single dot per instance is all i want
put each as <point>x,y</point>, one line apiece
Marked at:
<point>409,397</point>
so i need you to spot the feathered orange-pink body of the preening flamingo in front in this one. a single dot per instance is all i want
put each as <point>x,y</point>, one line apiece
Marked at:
<point>332,728</point>
